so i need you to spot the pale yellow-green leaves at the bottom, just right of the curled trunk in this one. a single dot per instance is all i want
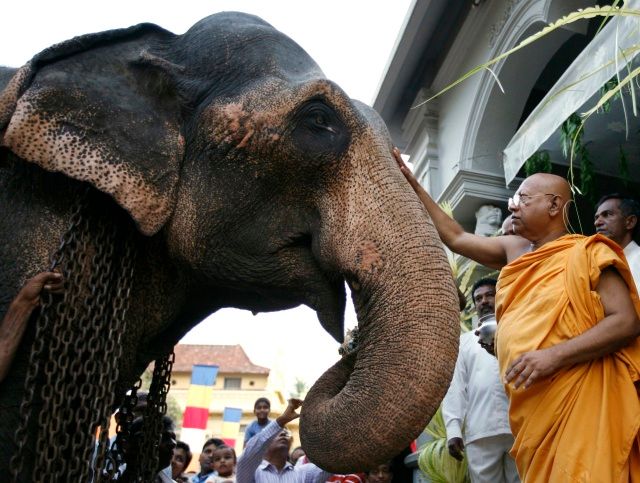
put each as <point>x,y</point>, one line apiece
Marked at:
<point>435,460</point>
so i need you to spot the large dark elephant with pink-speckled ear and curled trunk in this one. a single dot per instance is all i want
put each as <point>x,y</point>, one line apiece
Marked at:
<point>250,181</point>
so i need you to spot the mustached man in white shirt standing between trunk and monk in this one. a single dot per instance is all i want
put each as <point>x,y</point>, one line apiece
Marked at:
<point>475,409</point>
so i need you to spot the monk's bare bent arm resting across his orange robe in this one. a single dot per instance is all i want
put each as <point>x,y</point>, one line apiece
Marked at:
<point>619,327</point>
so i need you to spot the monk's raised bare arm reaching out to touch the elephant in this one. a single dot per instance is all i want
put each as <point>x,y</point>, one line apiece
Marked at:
<point>488,251</point>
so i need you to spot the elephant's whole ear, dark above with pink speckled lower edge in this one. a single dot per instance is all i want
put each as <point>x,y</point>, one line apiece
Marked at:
<point>100,108</point>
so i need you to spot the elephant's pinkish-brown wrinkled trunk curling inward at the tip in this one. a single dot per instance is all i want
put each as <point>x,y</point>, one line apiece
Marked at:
<point>371,404</point>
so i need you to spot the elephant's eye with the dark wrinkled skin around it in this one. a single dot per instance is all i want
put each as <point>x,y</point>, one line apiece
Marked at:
<point>318,130</point>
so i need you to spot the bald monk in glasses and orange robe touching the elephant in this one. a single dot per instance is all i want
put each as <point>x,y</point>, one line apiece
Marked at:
<point>567,337</point>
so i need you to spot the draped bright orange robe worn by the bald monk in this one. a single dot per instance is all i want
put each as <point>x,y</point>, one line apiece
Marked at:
<point>581,424</point>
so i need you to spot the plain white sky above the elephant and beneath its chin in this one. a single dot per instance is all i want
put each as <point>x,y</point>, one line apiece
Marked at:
<point>351,40</point>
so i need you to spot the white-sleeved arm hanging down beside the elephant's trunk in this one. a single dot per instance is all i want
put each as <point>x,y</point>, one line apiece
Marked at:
<point>454,407</point>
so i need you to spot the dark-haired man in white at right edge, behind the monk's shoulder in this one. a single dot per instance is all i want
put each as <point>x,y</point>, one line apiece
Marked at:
<point>617,218</point>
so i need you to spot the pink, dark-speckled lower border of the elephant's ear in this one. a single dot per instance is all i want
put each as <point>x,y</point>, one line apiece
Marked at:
<point>56,145</point>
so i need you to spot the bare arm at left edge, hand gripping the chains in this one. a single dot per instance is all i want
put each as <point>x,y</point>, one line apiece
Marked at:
<point>15,320</point>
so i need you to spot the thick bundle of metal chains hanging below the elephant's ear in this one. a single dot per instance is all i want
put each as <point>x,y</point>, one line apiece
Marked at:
<point>74,358</point>
